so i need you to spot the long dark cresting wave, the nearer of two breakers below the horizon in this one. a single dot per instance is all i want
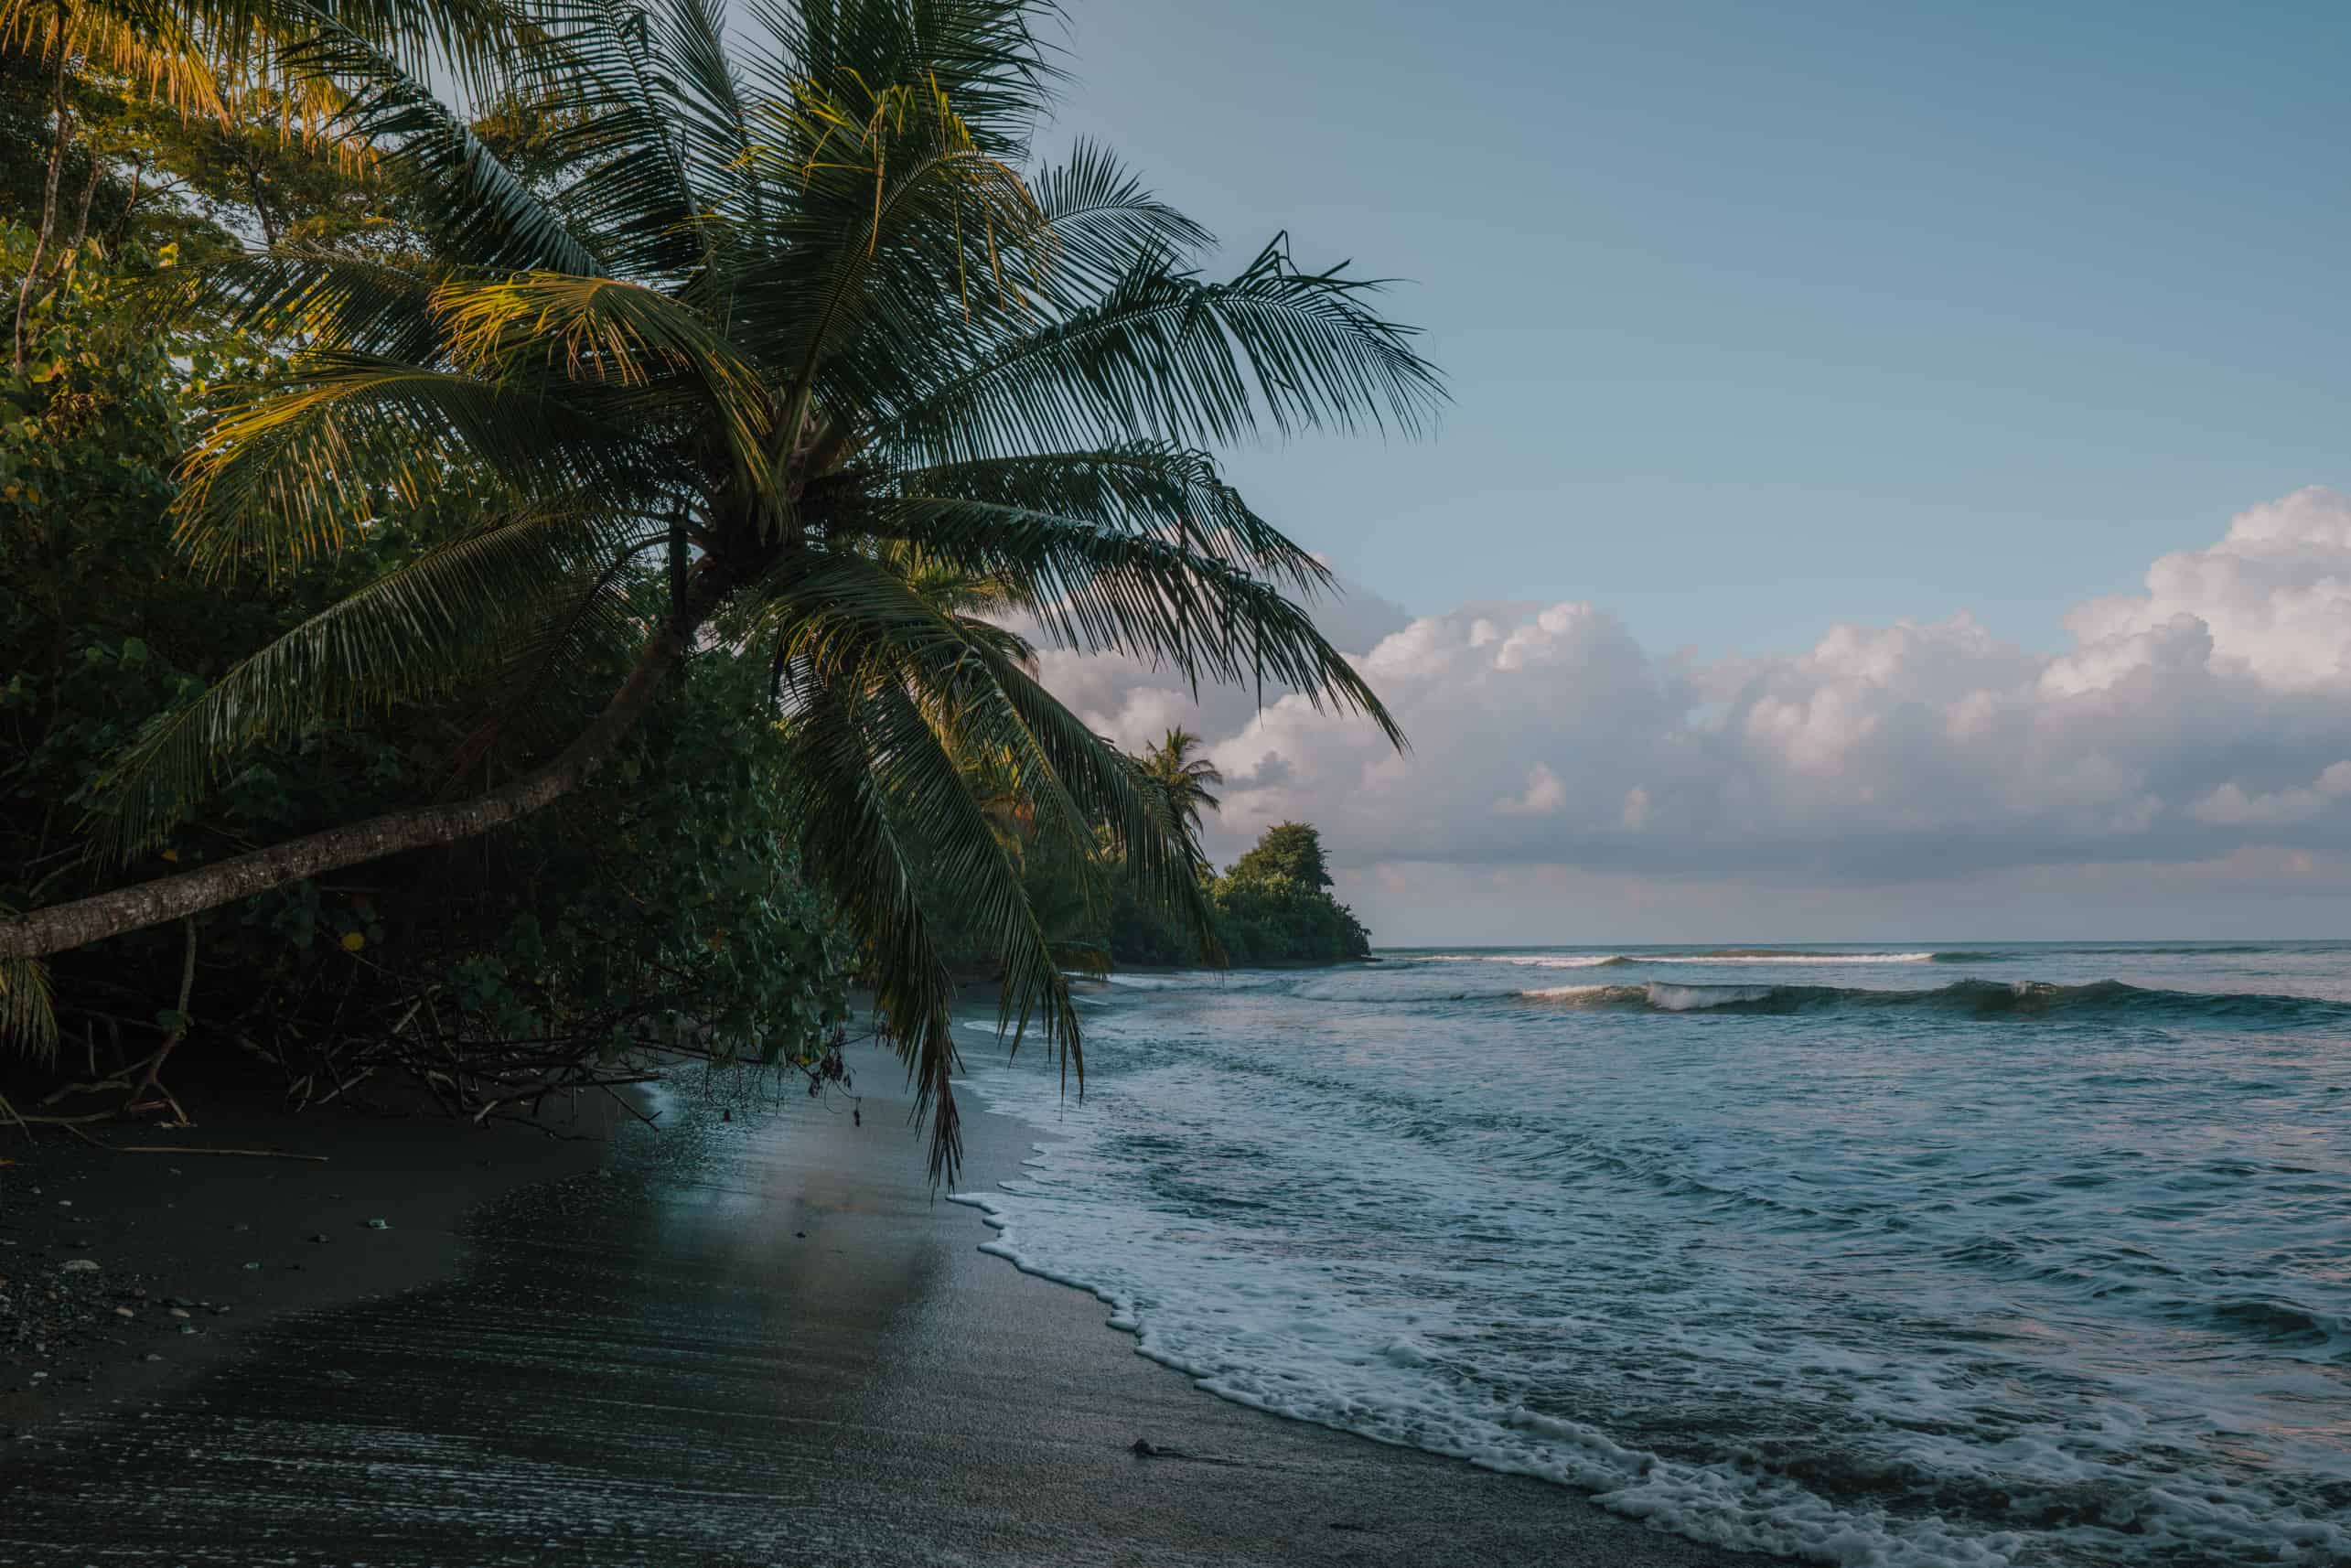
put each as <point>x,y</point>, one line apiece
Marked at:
<point>1967,1000</point>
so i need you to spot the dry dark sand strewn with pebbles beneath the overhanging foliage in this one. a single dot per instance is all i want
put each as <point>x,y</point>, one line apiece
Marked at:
<point>185,1226</point>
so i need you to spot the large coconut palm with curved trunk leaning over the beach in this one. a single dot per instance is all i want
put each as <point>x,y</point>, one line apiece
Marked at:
<point>768,323</point>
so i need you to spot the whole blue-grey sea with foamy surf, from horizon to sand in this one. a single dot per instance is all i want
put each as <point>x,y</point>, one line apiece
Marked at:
<point>1971,1254</point>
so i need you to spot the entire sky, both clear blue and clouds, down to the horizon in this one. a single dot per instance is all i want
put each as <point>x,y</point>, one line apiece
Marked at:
<point>1877,495</point>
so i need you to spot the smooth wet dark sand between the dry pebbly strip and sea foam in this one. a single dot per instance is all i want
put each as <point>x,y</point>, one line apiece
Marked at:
<point>744,1343</point>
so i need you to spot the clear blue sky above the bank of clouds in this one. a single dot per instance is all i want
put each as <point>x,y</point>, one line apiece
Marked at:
<point>1764,319</point>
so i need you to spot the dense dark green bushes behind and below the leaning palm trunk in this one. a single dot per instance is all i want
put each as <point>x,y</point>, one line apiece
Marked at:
<point>488,967</point>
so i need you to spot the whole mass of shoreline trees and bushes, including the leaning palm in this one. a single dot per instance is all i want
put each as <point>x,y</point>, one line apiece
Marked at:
<point>516,540</point>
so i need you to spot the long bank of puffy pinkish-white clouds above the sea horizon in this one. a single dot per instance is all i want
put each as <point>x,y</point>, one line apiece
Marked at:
<point>2178,725</point>
